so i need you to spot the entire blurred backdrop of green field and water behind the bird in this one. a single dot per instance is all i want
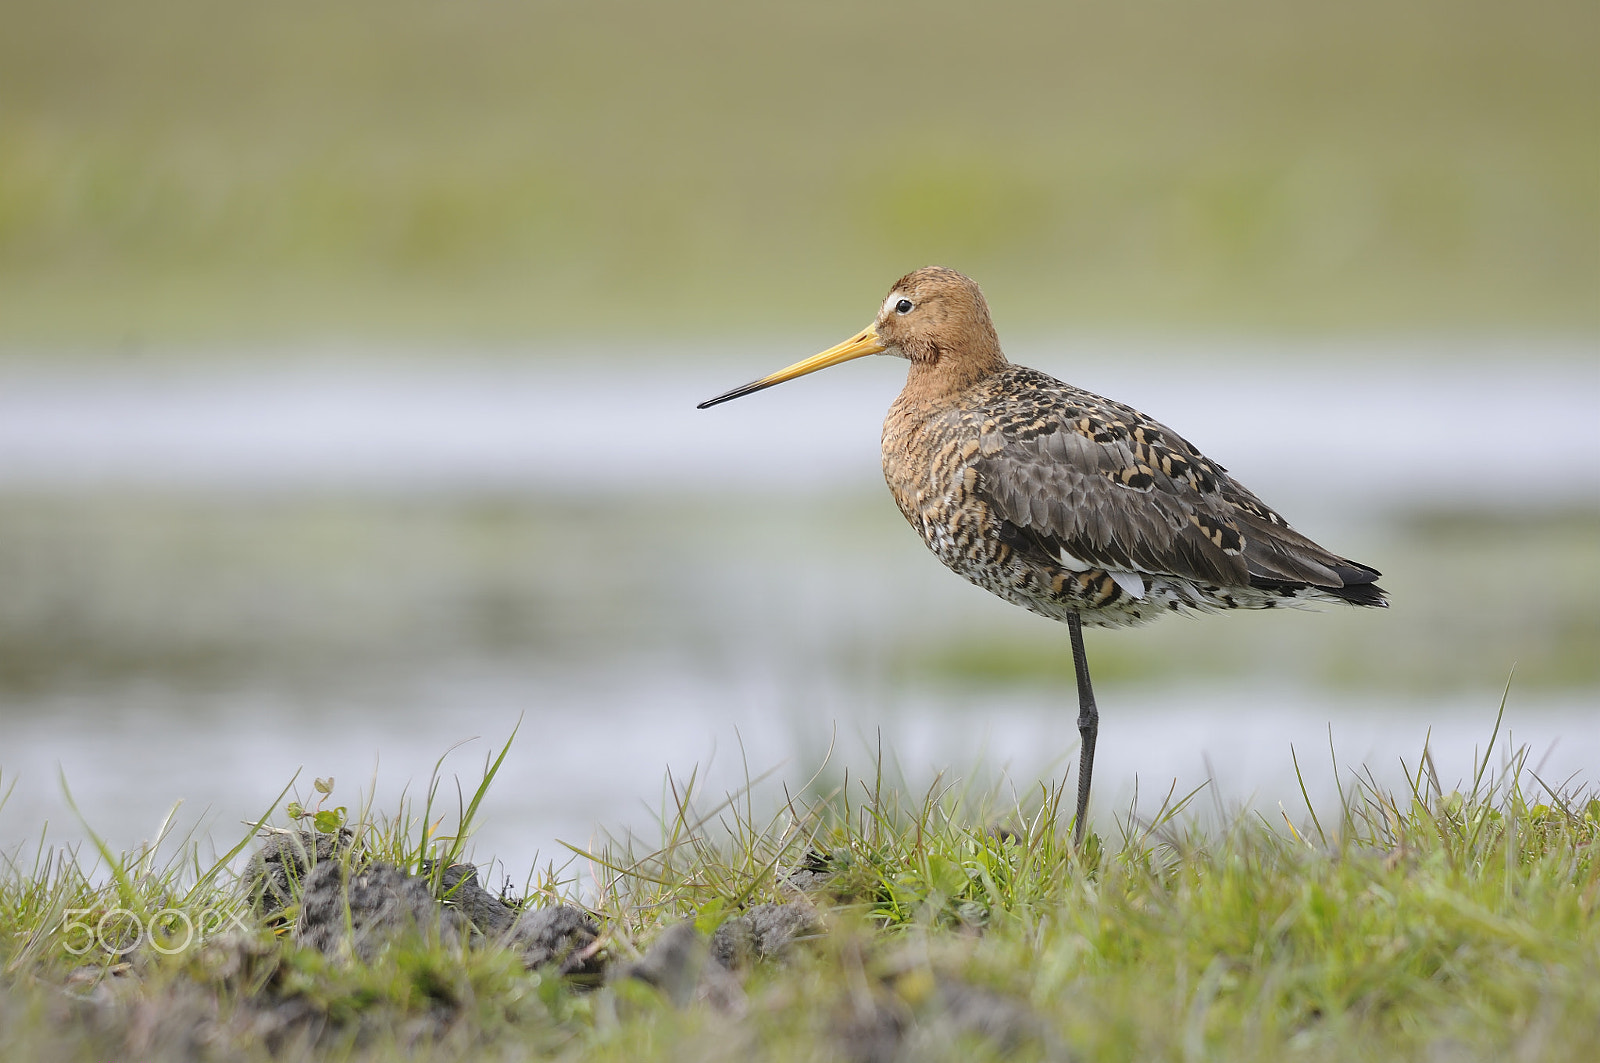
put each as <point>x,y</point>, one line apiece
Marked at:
<point>350,356</point>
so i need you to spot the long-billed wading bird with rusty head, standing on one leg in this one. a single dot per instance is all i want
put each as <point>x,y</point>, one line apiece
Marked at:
<point>1060,500</point>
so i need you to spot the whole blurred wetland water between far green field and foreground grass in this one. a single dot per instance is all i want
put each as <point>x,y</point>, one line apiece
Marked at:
<point>220,576</point>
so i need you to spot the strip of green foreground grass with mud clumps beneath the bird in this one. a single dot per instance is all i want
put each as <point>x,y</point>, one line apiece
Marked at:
<point>860,923</point>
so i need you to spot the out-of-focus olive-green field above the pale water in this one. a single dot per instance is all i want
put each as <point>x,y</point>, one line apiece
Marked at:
<point>177,169</point>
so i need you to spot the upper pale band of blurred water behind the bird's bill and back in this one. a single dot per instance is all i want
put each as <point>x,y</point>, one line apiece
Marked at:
<point>1482,425</point>
